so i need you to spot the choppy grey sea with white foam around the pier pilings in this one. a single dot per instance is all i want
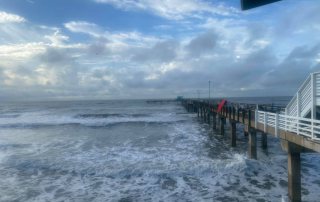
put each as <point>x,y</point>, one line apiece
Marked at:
<point>134,151</point>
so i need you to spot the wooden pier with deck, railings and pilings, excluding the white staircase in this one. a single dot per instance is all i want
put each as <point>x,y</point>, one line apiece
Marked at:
<point>297,135</point>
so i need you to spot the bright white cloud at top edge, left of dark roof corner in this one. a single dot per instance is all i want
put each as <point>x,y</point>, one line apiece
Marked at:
<point>173,9</point>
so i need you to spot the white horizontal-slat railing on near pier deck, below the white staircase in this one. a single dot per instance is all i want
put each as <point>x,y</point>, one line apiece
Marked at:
<point>301,126</point>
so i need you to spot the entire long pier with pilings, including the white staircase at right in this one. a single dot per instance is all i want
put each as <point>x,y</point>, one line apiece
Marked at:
<point>297,125</point>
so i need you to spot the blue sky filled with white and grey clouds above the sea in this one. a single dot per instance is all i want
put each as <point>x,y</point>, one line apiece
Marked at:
<point>137,49</point>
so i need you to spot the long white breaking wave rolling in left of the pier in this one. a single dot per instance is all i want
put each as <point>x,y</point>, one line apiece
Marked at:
<point>90,120</point>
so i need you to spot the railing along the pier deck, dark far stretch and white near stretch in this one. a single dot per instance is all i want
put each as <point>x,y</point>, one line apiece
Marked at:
<point>272,118</point>
